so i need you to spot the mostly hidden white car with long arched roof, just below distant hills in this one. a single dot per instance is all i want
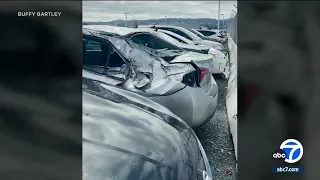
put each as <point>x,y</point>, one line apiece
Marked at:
<point>184,33</point>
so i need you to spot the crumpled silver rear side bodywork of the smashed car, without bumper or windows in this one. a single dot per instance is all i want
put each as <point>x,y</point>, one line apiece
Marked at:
<point>164,77</point>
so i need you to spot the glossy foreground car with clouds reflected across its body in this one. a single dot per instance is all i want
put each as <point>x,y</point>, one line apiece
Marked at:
<point>127,136</point>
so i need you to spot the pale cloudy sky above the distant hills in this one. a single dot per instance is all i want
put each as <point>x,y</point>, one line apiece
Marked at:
<point>142,10</point>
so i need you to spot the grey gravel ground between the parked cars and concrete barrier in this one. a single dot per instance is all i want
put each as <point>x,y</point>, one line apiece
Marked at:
<point>216,139</point>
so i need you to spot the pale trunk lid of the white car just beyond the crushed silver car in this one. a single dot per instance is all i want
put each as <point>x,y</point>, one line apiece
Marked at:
<point>201,60</point>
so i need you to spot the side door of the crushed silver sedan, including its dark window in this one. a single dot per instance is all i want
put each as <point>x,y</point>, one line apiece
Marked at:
<point>103,62</point>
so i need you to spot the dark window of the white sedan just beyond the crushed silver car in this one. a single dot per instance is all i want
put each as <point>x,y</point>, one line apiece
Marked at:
<point>153,42</point>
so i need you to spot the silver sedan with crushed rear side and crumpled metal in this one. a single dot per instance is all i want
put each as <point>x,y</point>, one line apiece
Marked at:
<point>184,88</point>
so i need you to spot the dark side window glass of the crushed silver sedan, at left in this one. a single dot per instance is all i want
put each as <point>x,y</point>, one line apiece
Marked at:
<point>104,59</point>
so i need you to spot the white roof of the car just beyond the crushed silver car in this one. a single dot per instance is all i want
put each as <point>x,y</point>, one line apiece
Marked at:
<point>123,31</point>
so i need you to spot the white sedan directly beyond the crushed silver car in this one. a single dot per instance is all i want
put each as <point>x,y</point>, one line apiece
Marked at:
<point>165,46</point>
